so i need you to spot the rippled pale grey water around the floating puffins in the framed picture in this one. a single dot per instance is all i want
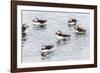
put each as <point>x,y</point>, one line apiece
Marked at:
<point>76,48</point>
